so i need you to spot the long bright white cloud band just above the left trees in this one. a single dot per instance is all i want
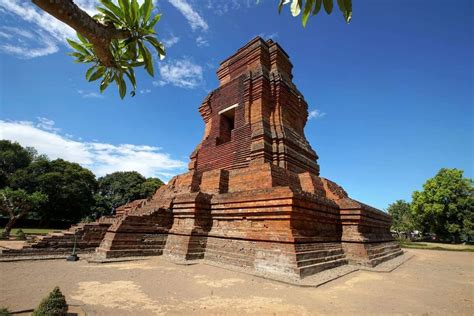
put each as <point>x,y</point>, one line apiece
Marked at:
<point>101,158</point>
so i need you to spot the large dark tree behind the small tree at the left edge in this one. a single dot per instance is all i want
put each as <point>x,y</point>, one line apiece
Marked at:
<point>69,188</point>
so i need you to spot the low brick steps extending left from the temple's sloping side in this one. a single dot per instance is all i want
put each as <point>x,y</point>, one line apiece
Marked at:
<point>88,237</point>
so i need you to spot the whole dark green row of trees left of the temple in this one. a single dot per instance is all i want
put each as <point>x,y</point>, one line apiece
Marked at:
<point>34,186</point>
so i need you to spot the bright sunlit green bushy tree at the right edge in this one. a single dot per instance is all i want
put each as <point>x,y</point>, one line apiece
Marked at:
<point>446,205</point>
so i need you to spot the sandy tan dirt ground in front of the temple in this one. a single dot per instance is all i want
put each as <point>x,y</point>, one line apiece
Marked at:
<point>432,283</point>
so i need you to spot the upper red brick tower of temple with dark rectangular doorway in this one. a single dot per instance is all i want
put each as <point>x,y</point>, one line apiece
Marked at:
<point>256,115</point>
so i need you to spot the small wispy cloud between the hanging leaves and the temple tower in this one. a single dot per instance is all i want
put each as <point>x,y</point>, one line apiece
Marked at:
<point>180,73</point>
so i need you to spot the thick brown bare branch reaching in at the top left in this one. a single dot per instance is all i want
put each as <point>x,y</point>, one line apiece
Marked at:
<point>98,34</point>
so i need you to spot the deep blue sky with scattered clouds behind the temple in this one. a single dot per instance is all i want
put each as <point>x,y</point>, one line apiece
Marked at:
<point>391,94</point>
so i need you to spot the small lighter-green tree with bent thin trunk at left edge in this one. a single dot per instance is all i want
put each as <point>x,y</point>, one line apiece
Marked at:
<point>17,203</point>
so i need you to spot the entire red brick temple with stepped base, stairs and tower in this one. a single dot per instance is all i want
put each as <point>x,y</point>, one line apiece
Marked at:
<point>252,197</point>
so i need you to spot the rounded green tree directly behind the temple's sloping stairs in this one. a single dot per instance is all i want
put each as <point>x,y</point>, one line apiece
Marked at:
<point>119,188</point>
